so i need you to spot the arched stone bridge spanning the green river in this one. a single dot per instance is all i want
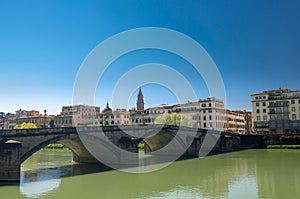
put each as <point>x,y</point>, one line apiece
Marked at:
<point>17,145</point>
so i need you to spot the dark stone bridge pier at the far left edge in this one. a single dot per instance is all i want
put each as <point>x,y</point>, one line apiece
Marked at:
<point>10,160</point>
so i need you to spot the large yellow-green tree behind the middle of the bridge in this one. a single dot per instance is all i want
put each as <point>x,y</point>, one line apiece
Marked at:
<point>174,119</point>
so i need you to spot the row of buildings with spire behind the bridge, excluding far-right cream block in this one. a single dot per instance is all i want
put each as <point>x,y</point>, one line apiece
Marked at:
<point>206,114</point>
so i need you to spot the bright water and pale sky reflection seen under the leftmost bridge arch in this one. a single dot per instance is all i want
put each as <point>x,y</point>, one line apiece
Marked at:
<point>38,178</point>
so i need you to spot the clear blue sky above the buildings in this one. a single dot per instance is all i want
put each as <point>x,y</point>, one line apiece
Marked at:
<point>255,44</point>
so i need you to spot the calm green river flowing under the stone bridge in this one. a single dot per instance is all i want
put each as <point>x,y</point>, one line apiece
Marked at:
<point>246,174</point>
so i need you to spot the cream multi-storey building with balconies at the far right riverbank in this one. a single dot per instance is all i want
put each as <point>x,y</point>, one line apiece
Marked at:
<point>276,111</point>
